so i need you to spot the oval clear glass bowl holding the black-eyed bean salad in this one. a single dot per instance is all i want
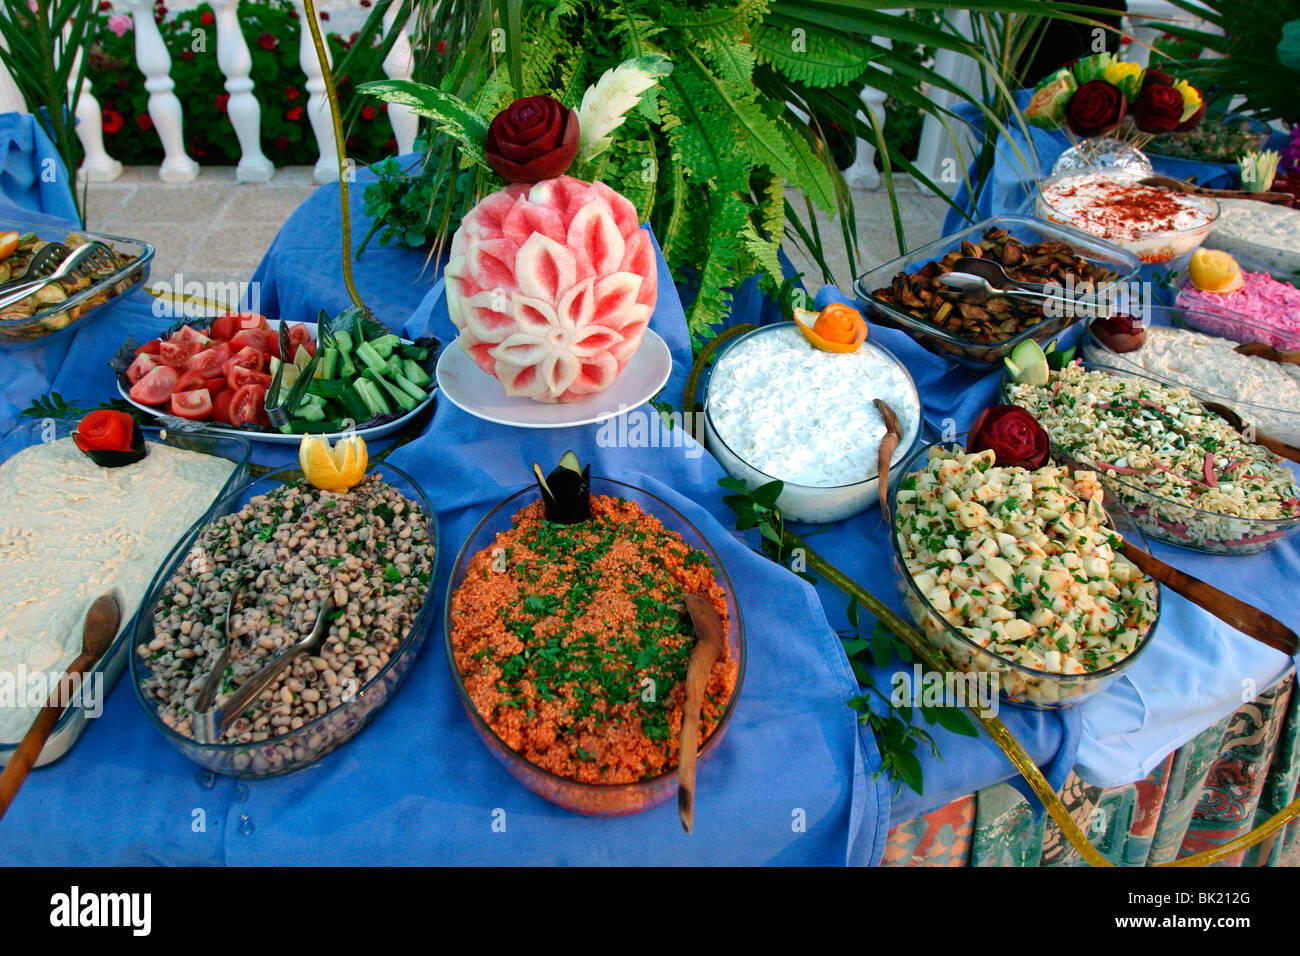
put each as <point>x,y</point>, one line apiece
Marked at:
<point>311,742</point>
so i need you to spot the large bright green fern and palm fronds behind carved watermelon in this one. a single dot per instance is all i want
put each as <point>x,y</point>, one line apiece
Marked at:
<point>743,116</point>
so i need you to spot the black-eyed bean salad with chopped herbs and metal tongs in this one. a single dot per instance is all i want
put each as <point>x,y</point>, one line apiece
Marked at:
<point>284,553</point>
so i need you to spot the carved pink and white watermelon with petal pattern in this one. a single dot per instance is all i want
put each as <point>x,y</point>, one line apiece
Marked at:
<point>552,287</point>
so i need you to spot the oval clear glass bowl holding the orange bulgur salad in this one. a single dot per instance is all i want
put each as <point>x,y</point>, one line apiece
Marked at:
<point>592,799</point>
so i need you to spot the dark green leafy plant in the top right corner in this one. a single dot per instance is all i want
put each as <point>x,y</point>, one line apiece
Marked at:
<point>1247,59</point>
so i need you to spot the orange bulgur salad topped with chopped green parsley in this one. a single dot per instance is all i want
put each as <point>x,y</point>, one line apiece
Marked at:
<point>573,641</point>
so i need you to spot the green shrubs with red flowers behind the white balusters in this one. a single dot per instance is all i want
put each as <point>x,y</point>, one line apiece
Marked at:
<point>272,32</point>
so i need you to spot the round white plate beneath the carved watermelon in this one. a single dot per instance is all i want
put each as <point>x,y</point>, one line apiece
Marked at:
<point>475,392</point>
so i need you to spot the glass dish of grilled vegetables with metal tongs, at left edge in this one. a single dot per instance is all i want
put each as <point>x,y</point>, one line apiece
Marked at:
<point>32,323</point>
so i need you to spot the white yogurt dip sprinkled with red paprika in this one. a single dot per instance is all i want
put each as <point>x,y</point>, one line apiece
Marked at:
<point>1156,224</point>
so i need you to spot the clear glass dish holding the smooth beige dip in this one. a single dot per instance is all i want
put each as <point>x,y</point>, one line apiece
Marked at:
<point>107,671</point>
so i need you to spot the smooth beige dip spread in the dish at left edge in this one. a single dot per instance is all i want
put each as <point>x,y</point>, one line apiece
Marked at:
<point>72,531</point>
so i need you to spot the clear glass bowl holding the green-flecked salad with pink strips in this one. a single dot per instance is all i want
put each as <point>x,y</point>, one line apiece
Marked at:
<point>1172,521</point>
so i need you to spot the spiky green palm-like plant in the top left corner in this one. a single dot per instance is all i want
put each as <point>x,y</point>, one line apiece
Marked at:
<point>44,42</point>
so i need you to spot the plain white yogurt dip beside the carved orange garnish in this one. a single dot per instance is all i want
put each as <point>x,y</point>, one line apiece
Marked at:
<point>778,408</point>
